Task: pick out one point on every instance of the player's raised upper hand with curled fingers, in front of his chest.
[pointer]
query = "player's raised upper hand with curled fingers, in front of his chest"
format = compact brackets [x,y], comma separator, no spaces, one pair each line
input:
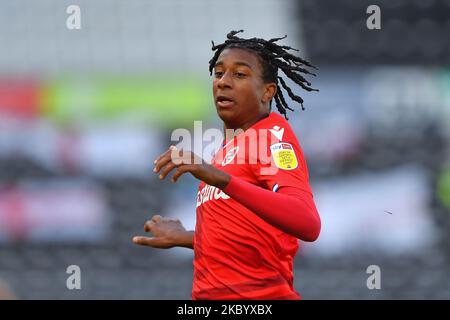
[187,161]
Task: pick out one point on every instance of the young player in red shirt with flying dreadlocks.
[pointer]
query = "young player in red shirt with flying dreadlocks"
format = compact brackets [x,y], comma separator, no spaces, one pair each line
[254,199]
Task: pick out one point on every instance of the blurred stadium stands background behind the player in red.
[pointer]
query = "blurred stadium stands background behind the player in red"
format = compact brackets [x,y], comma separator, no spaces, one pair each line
[84,112]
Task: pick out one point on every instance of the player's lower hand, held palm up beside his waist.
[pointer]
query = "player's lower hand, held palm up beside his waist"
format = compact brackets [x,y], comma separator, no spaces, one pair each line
[167,233]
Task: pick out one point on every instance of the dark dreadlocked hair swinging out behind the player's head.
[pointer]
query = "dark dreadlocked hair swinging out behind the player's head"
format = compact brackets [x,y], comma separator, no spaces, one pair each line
[272,57]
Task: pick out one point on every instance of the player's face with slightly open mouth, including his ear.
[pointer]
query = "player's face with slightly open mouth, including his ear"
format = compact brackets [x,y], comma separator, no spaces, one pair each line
[240,94]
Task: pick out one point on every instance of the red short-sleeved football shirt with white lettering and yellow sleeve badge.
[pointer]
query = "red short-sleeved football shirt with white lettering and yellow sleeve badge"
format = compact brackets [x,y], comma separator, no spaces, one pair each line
[238,255]
